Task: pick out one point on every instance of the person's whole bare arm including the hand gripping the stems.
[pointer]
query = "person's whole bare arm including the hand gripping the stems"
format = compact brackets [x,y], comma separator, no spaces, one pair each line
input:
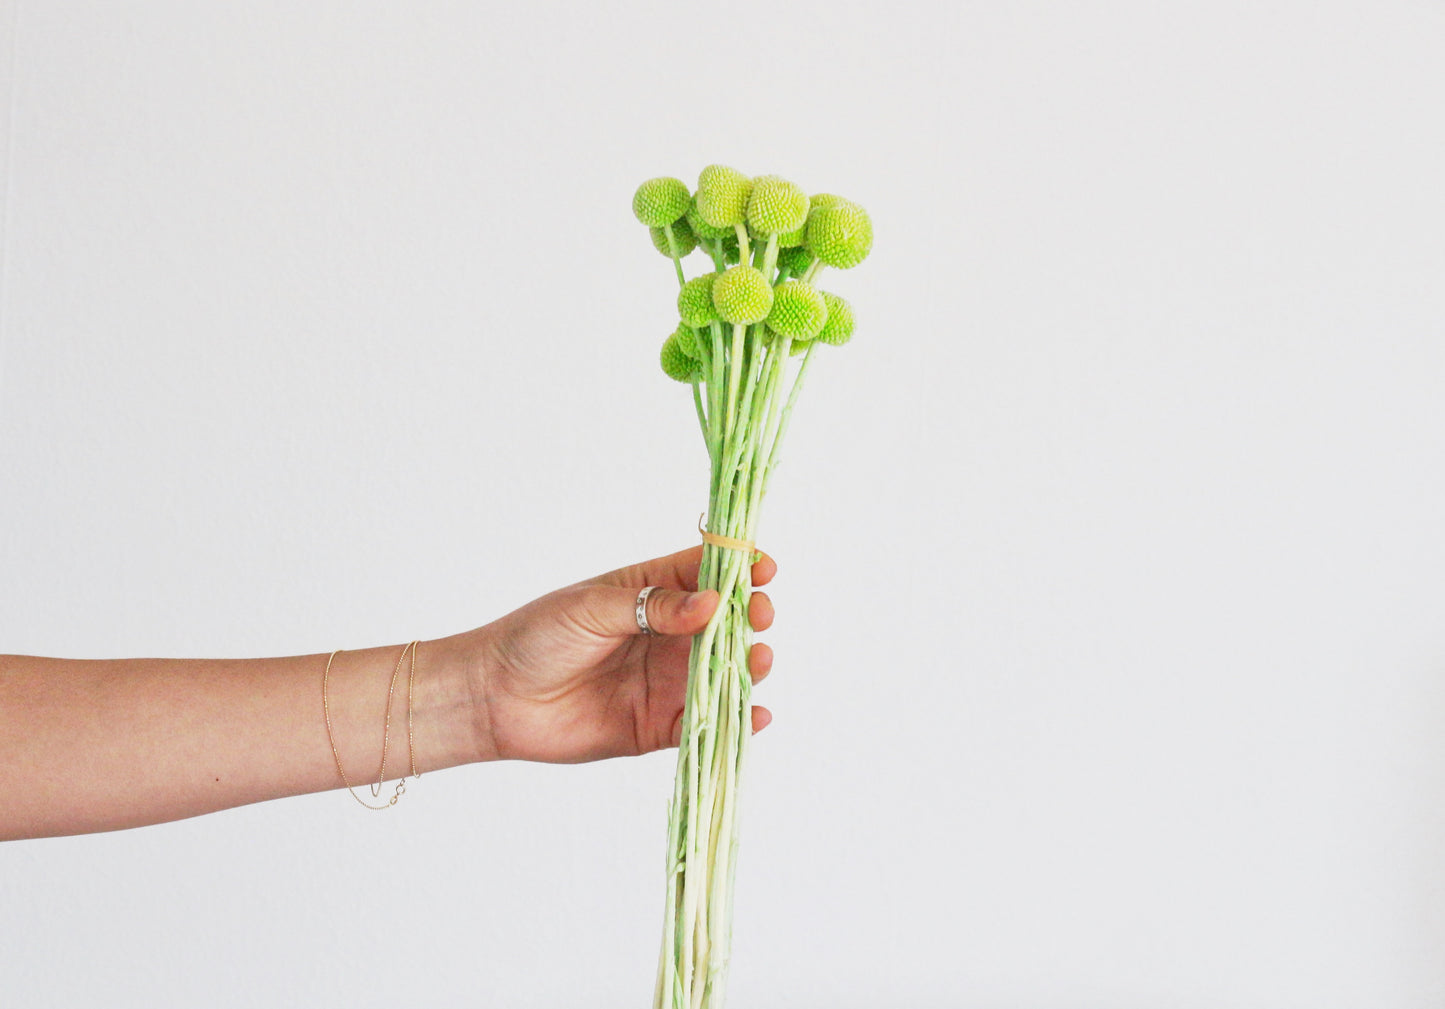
[115,744]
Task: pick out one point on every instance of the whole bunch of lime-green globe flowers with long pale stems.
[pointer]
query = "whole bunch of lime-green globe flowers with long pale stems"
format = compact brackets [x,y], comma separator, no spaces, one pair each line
[742,327]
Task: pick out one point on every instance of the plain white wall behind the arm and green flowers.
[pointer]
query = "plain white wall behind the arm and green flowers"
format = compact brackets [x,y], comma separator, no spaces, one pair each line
[1112,611]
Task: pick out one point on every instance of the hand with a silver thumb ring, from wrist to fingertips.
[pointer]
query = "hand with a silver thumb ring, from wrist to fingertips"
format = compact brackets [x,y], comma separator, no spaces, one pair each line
[570,677]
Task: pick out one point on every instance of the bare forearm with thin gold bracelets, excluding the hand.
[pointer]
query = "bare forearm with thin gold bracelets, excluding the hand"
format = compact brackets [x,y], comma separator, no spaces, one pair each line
[105,745]
